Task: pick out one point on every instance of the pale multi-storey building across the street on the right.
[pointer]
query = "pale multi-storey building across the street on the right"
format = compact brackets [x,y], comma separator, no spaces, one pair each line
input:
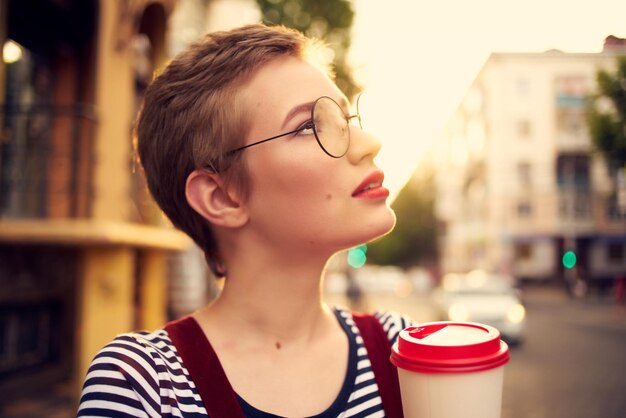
[518,185]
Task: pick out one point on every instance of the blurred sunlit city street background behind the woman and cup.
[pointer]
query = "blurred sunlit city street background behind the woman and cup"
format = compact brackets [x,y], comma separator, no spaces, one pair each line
[504,145]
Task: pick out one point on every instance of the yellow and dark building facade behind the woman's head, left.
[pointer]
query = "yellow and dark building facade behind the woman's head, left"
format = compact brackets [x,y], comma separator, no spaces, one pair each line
[83,250]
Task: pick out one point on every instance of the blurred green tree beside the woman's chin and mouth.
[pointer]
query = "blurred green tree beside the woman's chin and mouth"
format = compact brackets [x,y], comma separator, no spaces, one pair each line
[414,239]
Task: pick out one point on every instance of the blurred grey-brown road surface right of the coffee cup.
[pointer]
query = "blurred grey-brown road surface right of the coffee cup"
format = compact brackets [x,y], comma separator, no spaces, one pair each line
[572,363]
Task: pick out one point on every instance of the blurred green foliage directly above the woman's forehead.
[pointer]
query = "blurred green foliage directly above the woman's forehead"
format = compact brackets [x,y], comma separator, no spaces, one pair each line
[328,20]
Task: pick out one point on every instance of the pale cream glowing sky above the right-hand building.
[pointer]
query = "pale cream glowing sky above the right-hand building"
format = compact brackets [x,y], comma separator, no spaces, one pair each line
[416,59]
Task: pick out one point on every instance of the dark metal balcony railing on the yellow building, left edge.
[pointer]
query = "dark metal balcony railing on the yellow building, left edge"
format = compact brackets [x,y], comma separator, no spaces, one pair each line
[46,154]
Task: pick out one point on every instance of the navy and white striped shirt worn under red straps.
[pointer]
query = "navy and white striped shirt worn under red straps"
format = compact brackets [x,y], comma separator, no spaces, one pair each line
[140,374]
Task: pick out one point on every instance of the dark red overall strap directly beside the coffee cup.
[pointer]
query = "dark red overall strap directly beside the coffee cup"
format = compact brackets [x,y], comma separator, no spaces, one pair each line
[386,375]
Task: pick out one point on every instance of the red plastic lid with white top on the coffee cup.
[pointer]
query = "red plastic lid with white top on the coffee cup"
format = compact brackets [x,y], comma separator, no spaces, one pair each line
[449,347]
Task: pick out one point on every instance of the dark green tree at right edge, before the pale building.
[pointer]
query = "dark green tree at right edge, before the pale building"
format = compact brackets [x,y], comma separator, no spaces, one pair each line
[607,125]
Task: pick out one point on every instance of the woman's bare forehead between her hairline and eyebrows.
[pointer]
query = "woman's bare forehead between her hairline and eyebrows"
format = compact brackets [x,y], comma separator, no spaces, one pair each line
[285,82]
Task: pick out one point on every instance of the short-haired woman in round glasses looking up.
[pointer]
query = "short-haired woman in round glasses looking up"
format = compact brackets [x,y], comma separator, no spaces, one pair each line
[250,148]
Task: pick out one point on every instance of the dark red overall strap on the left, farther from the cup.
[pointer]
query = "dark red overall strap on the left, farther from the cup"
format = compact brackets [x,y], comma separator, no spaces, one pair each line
[205,369]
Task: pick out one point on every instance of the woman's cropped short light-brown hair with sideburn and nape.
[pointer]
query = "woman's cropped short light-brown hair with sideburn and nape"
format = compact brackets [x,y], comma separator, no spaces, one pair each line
[191,117]
